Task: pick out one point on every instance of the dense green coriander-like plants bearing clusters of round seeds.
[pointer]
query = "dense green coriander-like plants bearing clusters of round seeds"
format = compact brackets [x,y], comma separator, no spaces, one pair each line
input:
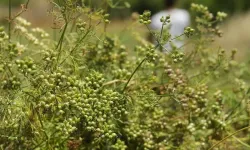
[86,90]
